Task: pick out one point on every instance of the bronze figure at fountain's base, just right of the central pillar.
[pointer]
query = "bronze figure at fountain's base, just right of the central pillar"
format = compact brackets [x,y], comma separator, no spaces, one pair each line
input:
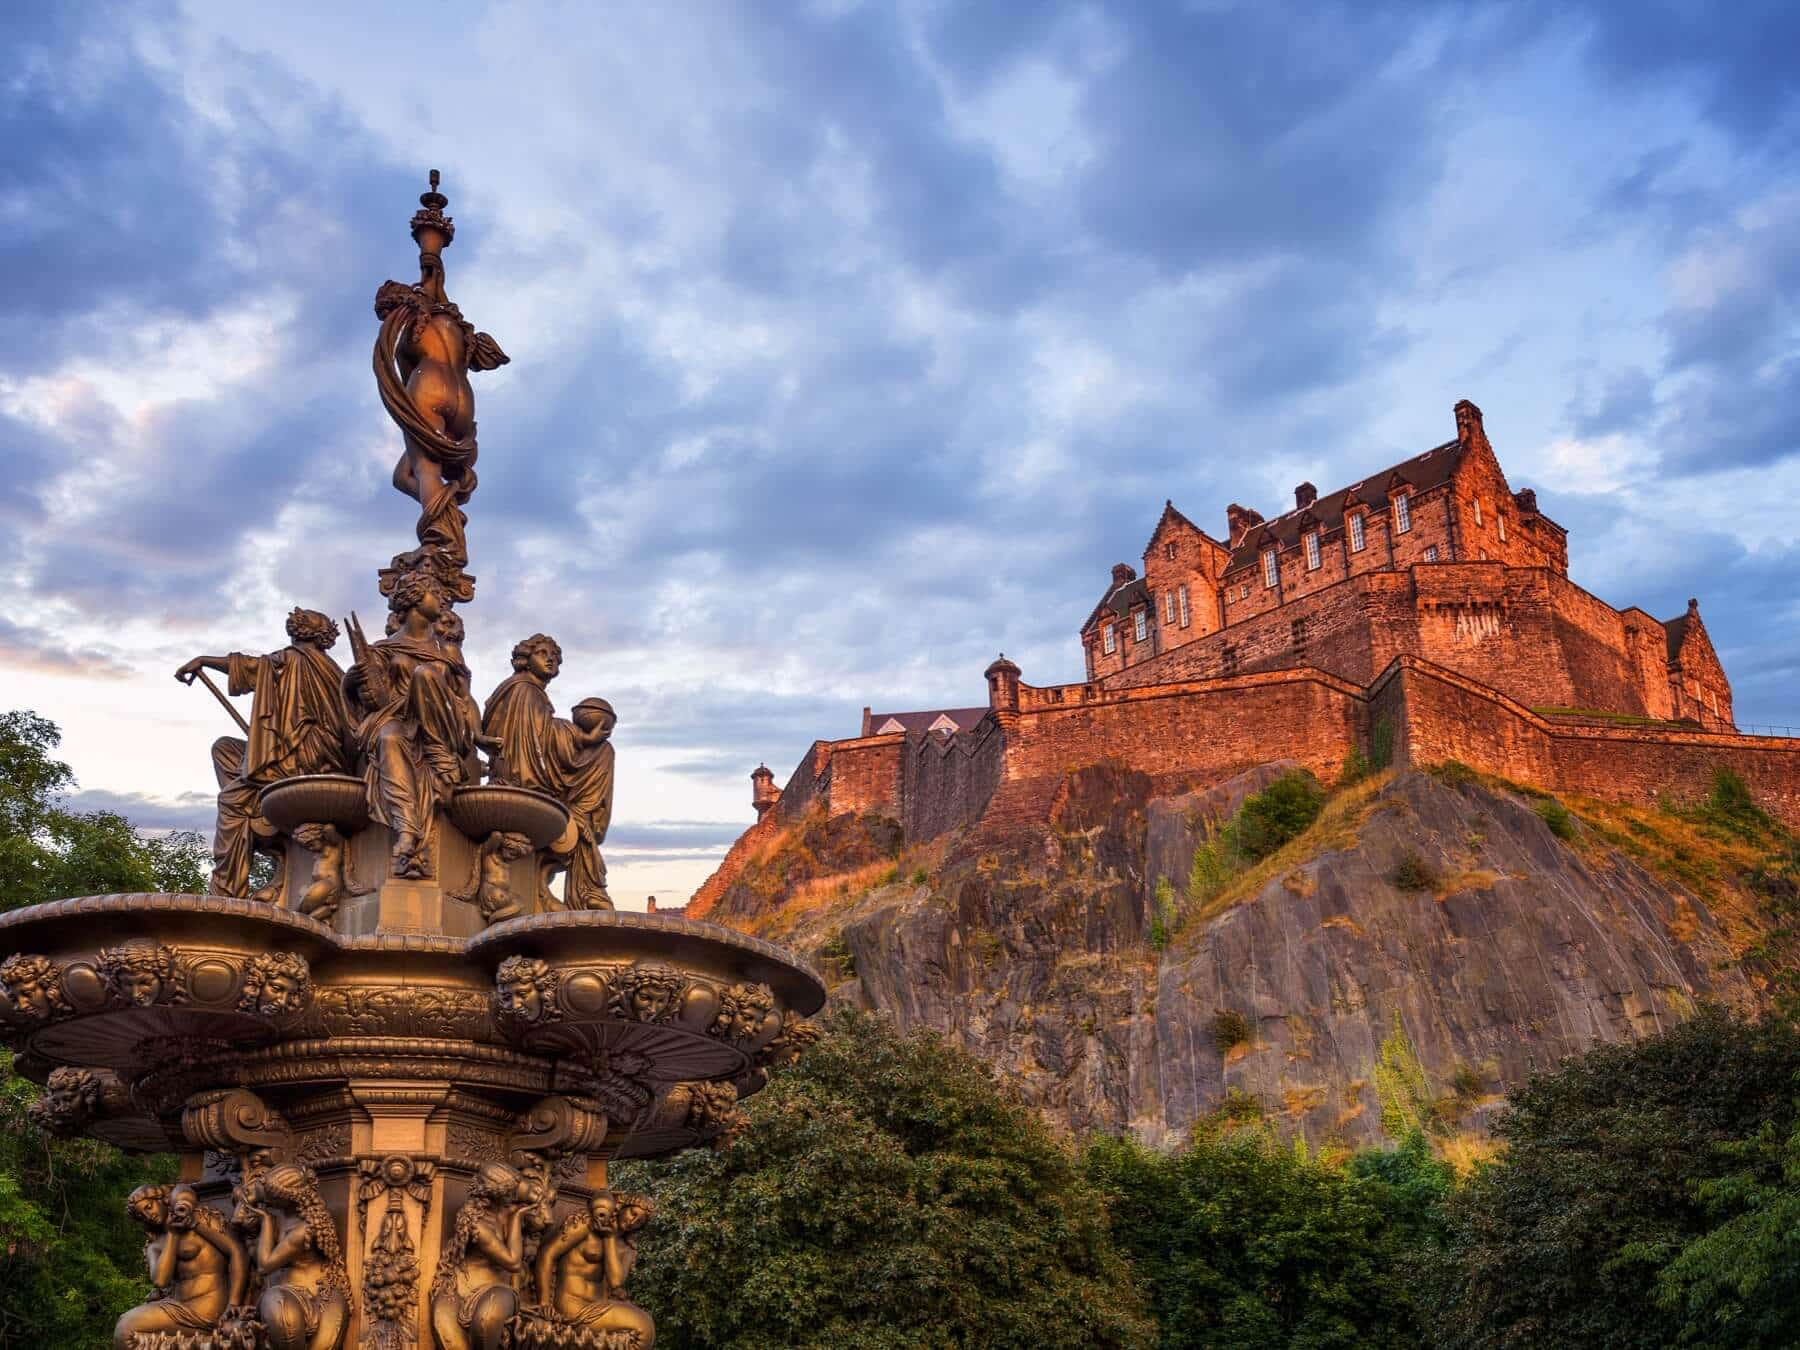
[472,1299]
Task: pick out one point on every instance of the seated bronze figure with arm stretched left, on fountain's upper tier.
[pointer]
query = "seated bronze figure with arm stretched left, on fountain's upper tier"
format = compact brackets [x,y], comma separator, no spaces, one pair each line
[298,726]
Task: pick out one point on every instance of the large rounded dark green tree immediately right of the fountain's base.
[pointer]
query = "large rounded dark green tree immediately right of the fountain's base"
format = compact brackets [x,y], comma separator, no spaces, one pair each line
[888,1194]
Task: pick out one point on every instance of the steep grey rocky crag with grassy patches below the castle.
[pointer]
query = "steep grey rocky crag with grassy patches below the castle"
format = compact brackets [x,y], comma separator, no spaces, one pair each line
[1428,940]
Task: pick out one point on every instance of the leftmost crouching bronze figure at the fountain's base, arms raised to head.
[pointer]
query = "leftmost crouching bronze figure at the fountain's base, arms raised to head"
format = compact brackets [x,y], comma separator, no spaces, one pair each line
[195,1263]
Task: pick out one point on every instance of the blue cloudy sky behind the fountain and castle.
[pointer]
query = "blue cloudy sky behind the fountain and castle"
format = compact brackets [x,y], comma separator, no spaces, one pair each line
[854,343]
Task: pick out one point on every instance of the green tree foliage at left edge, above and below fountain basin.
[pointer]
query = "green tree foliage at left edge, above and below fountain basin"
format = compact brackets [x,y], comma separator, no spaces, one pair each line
[69,1259]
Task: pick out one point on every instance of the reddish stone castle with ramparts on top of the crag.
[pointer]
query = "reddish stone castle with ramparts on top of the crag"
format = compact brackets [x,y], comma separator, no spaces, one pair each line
[1419,615]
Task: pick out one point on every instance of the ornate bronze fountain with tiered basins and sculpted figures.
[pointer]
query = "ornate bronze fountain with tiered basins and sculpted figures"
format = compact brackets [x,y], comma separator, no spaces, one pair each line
[397,1072]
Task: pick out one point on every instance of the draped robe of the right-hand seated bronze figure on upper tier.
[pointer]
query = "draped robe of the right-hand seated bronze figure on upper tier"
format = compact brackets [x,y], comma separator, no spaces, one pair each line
[552,755]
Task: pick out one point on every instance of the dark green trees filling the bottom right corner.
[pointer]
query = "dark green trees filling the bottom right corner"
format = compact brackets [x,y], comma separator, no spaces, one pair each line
[1641,1200]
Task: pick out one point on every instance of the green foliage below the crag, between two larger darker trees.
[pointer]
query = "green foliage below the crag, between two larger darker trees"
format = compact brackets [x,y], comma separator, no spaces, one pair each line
[1246,1243]
